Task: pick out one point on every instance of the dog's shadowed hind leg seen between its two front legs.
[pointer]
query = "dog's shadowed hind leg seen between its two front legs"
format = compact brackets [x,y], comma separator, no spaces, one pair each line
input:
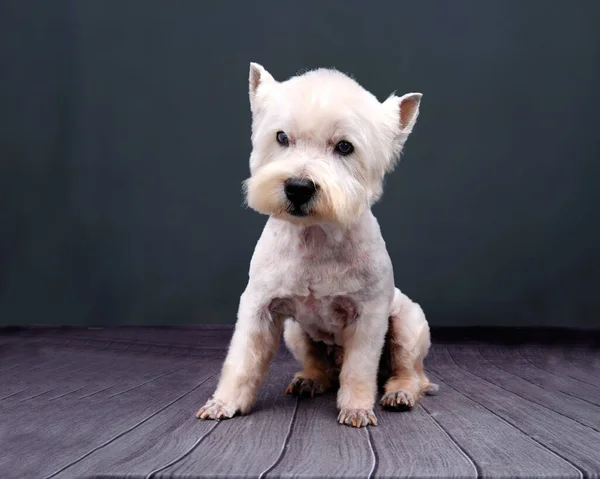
[316,375]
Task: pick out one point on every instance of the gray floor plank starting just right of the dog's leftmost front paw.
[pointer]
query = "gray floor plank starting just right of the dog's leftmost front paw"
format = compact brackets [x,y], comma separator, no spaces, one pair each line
[244,446]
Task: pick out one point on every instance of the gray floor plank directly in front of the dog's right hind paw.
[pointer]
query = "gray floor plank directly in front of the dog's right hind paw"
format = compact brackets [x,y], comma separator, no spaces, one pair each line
[413,444]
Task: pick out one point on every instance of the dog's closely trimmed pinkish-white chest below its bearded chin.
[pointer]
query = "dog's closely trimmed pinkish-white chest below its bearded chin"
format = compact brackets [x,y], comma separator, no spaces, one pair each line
[320,279]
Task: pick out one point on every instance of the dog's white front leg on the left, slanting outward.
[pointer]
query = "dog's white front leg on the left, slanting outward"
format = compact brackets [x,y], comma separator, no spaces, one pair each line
[255,340]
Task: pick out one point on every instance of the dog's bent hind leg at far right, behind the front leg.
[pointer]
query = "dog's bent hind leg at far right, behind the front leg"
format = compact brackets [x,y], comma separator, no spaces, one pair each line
[409,342]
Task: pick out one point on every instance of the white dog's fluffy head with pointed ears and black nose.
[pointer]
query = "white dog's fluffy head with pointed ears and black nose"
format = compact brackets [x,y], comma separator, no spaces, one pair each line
[321,145]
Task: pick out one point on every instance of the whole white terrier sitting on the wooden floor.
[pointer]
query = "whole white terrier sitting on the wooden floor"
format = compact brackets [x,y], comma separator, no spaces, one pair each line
[321,147]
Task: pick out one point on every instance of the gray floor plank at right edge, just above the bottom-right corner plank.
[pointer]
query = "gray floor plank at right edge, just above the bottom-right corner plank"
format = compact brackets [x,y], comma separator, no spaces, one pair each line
[472,360]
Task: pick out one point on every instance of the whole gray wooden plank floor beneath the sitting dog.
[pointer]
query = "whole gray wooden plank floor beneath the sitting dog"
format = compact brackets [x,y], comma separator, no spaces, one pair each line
[121,403]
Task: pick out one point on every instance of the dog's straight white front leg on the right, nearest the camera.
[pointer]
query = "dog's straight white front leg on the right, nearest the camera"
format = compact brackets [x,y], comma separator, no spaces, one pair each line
[363,344]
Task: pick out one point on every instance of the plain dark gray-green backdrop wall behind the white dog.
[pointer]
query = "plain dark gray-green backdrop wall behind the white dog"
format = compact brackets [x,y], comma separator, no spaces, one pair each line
[124,139]
